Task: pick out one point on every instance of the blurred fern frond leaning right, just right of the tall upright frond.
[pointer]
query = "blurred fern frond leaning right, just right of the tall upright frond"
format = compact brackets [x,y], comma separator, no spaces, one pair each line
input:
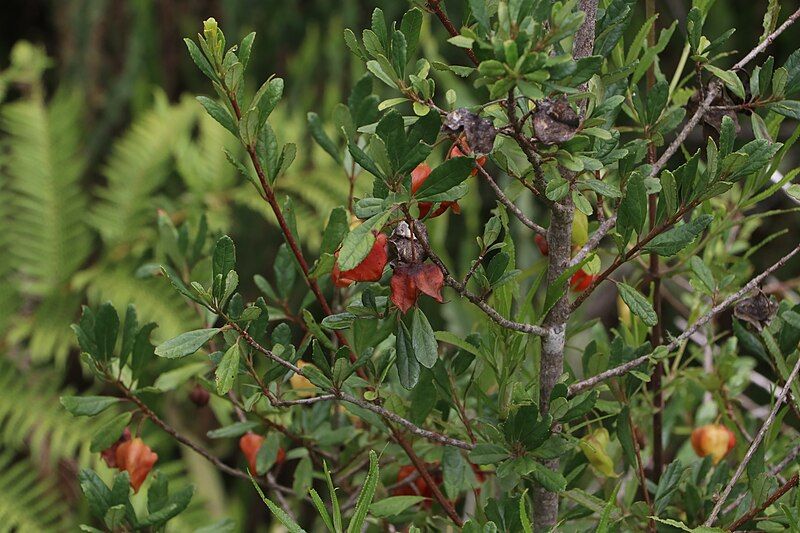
[138,167]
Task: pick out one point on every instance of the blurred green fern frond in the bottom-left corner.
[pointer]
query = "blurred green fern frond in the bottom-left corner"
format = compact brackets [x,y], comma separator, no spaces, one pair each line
[29,503]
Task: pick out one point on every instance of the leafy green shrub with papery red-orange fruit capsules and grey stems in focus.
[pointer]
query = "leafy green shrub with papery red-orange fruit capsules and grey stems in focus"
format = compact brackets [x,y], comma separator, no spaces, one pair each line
[494,424]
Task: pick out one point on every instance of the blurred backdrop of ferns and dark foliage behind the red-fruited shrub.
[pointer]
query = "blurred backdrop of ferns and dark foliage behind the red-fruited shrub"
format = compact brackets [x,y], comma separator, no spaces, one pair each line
[99,131]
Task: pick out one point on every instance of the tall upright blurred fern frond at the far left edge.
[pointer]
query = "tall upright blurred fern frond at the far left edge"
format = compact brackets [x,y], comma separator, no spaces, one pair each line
[49,238]
